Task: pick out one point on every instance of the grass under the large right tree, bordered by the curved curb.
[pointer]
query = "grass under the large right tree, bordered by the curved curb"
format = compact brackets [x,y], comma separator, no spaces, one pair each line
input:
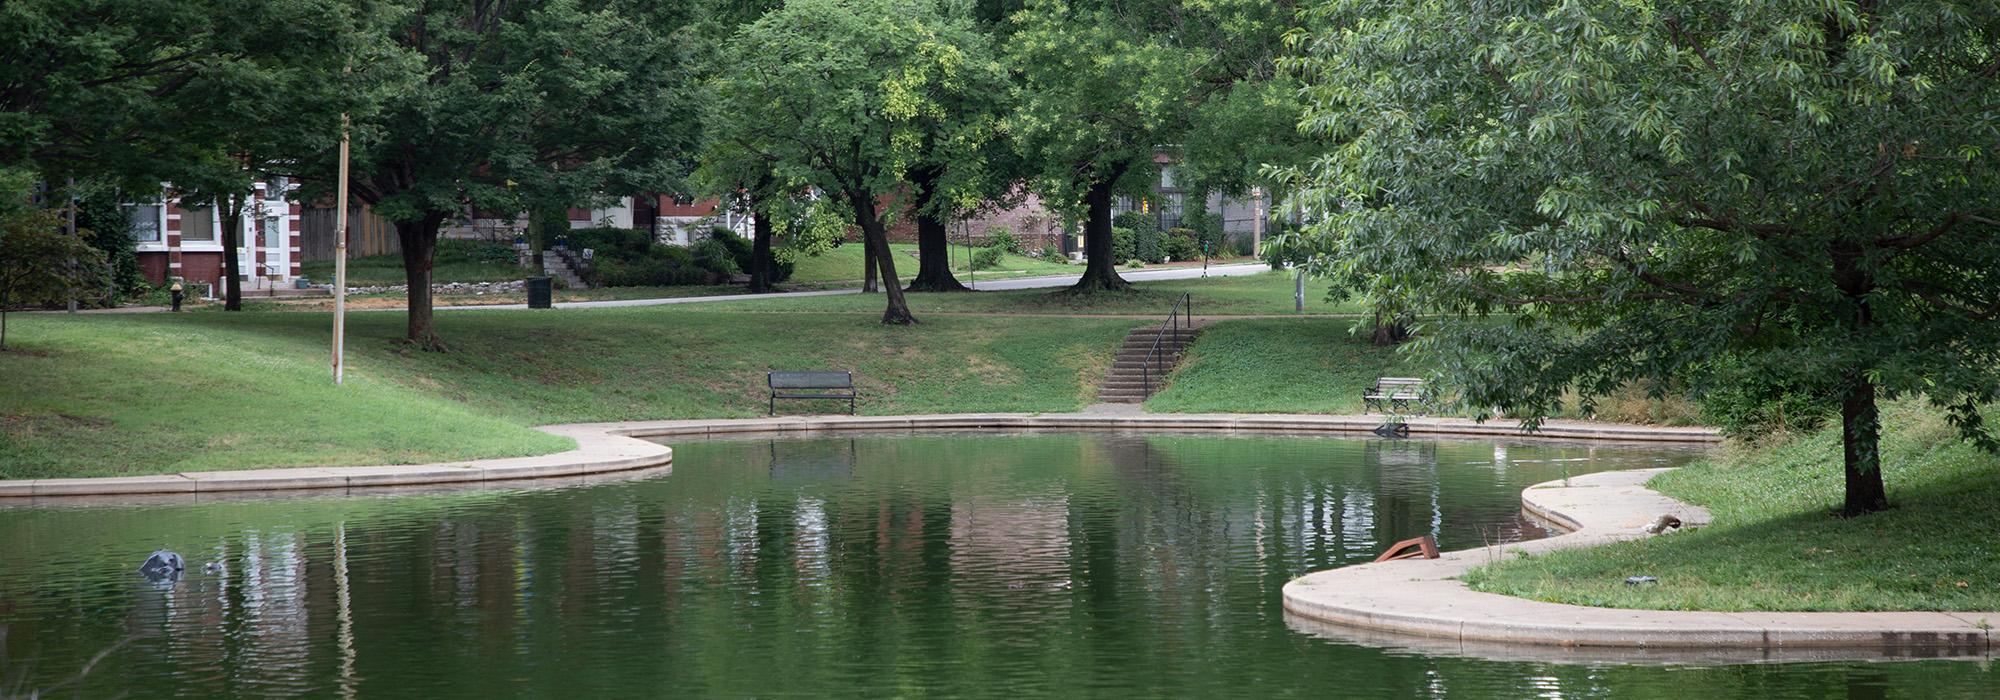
[1775,543]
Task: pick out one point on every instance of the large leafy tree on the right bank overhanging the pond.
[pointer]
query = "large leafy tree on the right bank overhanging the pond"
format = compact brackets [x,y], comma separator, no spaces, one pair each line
[1649,191]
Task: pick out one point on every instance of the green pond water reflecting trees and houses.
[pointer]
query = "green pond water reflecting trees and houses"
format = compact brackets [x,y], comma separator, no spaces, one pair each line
[881,565]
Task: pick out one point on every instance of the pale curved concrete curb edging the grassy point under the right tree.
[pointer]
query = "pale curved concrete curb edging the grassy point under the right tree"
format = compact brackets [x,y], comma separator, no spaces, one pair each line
[1425,599]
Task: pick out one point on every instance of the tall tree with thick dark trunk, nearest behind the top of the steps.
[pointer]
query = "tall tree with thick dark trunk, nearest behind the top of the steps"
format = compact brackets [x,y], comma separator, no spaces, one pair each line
[1107,87]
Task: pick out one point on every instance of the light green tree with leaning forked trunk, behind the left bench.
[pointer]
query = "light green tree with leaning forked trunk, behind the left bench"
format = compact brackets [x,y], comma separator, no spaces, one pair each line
[841,97]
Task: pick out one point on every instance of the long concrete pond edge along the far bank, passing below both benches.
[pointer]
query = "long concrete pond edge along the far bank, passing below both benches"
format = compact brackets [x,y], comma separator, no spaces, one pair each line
[619,447]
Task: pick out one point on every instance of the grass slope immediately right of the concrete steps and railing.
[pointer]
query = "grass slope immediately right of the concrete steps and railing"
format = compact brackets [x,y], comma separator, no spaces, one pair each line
[1279,365]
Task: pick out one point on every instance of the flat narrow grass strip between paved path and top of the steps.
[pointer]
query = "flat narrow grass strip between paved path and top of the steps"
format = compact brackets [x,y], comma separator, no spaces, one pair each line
[1253,295]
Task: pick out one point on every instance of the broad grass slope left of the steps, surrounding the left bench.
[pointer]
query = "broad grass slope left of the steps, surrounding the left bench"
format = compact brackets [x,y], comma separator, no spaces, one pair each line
[167,393]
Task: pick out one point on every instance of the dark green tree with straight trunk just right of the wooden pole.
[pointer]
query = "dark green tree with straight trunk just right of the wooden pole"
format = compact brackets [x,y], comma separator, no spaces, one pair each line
[565,85]
